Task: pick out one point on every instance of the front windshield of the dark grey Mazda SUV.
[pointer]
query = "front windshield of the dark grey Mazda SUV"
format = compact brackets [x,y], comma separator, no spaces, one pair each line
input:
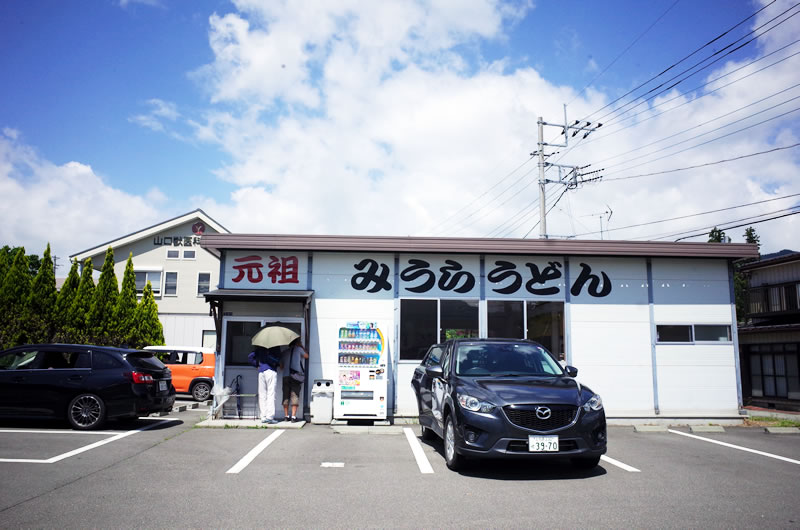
[504,359]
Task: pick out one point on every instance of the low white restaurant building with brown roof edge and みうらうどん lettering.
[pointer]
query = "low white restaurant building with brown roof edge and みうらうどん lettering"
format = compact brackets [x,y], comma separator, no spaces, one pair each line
[650,325]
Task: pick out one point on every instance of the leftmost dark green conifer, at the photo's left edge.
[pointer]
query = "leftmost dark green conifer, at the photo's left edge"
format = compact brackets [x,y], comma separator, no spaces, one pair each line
[14,294]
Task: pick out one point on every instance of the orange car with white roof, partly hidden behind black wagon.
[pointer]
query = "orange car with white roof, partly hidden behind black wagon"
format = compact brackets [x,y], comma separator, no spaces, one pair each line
[192,368]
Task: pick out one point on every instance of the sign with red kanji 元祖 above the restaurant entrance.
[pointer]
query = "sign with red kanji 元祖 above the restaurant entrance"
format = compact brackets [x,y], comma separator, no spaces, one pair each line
[265,270]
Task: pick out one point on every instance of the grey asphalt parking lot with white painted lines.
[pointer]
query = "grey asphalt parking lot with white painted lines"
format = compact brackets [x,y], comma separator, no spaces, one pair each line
[163,472]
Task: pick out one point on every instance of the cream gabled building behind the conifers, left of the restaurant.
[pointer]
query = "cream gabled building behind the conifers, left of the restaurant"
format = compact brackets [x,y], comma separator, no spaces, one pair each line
[180,271]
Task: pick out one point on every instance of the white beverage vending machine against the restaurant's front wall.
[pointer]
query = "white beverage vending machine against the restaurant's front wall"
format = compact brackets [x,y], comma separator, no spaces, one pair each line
[361,389]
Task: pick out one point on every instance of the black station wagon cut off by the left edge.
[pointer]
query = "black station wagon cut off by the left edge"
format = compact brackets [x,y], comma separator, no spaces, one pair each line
[85,384]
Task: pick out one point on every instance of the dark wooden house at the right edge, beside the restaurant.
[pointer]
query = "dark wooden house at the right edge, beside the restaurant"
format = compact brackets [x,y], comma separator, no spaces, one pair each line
[770,337]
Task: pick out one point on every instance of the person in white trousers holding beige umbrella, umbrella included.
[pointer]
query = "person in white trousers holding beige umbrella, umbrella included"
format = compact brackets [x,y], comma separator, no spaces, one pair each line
[266,357]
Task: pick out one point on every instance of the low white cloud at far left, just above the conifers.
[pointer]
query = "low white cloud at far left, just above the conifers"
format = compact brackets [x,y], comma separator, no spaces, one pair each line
[67,205]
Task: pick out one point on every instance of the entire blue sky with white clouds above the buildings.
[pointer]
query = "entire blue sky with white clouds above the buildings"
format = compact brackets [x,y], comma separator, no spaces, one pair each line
[351,117]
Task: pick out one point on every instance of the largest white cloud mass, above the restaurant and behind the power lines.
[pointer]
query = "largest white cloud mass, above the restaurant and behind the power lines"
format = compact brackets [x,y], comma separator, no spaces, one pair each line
[368,121]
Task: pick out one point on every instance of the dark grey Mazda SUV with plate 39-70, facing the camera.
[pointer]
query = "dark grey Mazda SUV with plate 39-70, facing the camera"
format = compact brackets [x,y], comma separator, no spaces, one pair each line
[506,398]
